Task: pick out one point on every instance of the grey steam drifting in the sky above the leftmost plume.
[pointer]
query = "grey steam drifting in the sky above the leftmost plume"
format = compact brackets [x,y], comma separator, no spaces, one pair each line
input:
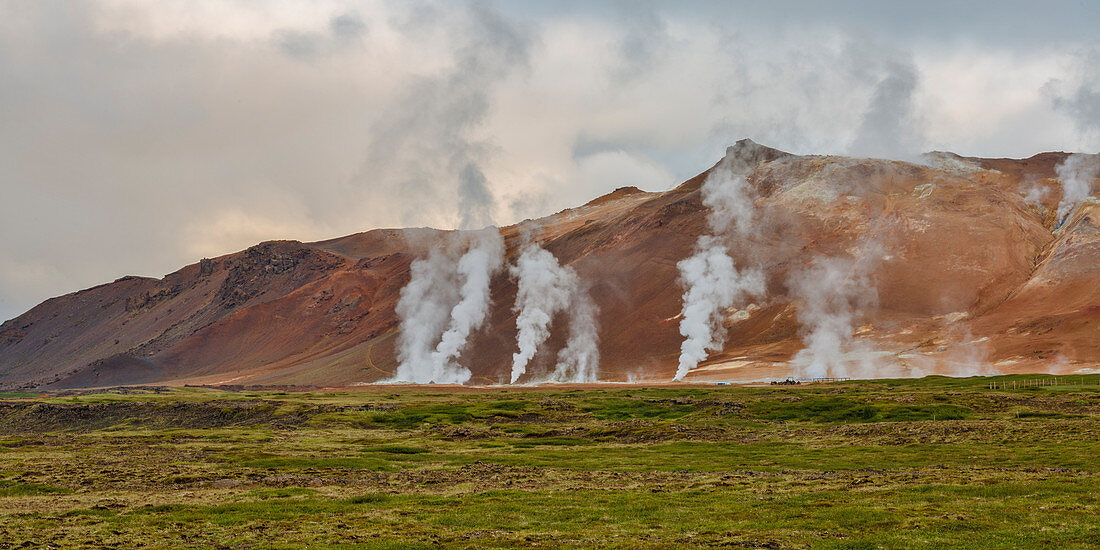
[425,147]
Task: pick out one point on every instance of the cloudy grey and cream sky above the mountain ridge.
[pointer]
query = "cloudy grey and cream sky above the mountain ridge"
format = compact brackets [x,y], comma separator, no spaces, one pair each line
[138,137]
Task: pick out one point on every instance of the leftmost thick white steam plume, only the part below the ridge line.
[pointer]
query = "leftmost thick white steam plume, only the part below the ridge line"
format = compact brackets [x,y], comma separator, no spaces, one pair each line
[446,300]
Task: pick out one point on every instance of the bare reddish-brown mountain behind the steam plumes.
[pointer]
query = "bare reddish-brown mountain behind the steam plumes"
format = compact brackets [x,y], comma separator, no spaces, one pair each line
[952,266]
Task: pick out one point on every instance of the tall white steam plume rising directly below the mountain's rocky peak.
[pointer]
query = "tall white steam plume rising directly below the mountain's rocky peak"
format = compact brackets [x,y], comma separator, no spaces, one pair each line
[711,280]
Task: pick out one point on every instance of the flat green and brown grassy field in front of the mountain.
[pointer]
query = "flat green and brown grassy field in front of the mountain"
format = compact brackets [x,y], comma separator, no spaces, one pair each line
[926,464]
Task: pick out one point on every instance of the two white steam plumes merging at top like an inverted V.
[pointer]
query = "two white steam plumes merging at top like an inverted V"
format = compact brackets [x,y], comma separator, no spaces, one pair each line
[546,290]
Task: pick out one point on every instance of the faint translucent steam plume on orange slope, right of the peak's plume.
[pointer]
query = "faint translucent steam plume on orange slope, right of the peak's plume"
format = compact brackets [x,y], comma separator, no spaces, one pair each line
[832,293]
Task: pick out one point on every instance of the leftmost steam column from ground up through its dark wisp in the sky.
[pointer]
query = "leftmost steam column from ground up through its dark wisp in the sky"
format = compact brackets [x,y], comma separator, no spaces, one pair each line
[447,298]
